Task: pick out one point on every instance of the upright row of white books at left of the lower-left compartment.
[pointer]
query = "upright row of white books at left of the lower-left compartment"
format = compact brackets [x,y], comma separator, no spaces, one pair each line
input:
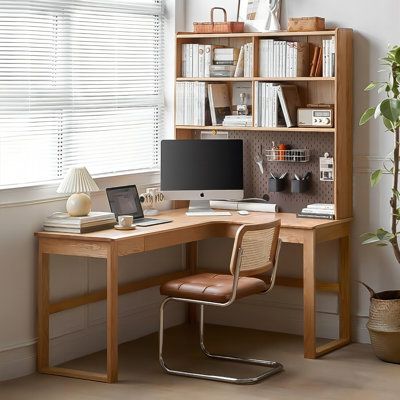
[192,104]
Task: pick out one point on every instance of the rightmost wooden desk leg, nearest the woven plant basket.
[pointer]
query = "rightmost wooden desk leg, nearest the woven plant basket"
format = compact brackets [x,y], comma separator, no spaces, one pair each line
[344,290]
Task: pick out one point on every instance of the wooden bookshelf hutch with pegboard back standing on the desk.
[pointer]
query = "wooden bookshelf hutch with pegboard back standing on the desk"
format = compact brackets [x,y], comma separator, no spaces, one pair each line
[337,140]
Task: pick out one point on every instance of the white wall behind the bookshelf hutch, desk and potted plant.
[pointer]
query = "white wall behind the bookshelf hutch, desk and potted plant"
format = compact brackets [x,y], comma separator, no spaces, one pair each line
[375,26]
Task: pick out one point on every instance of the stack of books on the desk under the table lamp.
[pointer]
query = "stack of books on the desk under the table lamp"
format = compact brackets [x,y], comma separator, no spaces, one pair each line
[63,222]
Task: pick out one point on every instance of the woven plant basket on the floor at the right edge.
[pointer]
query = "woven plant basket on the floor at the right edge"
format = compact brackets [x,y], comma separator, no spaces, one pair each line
[384,324]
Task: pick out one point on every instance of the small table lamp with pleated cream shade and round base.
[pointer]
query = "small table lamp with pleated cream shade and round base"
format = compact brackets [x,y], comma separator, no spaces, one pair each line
[78,182]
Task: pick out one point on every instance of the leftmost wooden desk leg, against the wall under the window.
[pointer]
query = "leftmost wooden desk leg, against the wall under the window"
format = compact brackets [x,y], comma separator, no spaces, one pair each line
[43,311]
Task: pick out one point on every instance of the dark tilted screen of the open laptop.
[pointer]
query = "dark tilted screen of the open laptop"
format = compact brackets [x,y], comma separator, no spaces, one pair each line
[124,200]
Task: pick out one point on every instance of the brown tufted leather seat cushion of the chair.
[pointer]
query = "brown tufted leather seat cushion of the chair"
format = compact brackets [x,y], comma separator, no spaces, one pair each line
[211,287]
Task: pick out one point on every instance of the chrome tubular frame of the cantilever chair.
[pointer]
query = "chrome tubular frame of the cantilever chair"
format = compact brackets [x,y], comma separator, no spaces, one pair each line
[273,366]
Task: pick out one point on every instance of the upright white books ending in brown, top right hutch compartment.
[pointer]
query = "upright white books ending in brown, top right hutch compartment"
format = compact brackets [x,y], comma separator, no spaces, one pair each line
[279,58]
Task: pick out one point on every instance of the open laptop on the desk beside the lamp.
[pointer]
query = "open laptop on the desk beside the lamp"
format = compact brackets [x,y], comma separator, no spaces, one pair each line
[124,200]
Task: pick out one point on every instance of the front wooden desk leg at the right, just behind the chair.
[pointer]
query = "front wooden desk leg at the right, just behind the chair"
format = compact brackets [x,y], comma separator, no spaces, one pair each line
[309,249]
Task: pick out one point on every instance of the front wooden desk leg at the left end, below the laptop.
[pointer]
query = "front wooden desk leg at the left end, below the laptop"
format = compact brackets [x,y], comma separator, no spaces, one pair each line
[112,314]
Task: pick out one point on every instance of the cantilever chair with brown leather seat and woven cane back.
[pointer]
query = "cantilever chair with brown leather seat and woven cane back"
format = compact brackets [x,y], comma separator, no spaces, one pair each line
[255,255]
